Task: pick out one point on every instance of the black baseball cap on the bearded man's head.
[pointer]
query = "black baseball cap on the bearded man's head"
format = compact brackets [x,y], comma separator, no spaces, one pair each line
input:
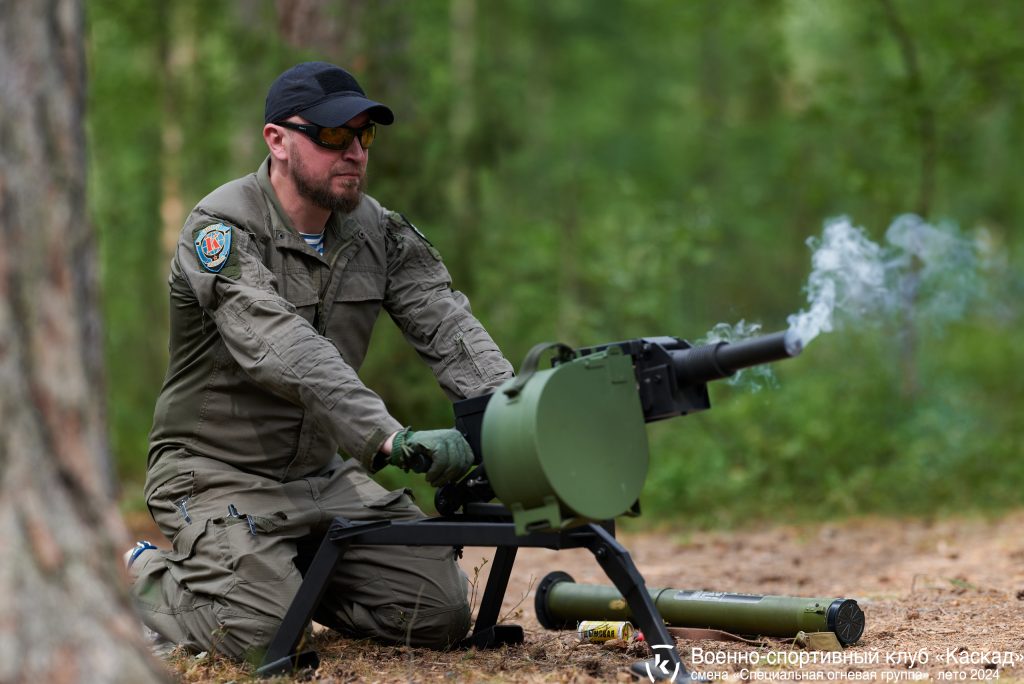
[323,95]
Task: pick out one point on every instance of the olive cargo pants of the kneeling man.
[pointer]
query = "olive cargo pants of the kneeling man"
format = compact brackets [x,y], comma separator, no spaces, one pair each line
[239,544]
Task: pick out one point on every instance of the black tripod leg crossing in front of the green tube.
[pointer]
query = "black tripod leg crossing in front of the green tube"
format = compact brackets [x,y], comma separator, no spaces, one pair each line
[617,564]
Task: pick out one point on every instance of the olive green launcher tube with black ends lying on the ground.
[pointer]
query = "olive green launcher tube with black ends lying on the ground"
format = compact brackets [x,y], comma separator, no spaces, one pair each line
[561,604]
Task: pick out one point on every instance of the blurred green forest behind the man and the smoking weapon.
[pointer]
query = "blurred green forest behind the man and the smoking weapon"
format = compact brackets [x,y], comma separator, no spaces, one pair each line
[596,172]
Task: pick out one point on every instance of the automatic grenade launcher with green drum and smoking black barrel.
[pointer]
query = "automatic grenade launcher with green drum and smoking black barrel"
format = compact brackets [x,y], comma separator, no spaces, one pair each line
[568,445]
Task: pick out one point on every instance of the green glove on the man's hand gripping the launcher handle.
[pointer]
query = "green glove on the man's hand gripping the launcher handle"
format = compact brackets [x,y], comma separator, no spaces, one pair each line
[444,455]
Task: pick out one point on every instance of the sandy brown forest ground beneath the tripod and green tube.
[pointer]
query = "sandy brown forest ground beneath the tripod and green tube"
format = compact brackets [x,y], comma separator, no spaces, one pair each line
[944,601]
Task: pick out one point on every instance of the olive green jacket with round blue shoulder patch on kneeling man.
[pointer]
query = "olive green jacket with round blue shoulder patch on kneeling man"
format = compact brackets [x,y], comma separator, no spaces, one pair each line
[265,353]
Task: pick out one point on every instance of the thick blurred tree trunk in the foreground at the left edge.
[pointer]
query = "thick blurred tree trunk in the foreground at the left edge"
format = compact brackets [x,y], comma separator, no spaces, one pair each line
[65,613]
